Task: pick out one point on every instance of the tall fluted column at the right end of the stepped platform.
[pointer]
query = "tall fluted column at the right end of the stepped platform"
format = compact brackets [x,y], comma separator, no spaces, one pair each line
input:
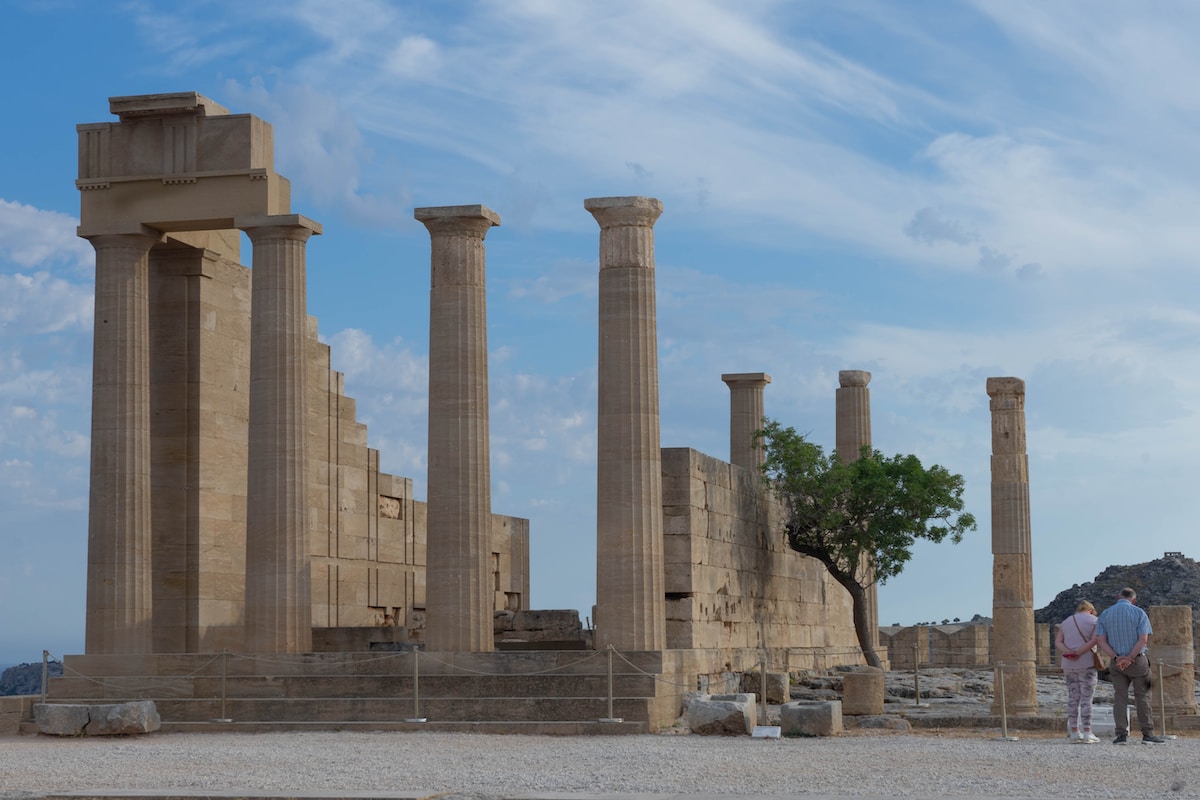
[631,606]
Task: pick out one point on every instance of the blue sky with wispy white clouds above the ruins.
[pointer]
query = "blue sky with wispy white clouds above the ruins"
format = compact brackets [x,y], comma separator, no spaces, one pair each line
[935,193]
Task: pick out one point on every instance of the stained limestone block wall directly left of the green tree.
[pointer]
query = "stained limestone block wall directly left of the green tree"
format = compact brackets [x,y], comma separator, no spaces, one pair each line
[734,585]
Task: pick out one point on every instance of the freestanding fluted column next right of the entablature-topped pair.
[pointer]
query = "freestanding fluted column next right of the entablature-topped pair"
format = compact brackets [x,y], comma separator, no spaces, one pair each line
[458,593]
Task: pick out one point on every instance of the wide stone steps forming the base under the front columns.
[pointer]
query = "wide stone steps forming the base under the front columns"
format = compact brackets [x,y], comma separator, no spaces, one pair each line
[537,691]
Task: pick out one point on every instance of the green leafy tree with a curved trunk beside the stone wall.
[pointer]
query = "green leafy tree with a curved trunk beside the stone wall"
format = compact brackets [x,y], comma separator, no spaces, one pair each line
[862,518]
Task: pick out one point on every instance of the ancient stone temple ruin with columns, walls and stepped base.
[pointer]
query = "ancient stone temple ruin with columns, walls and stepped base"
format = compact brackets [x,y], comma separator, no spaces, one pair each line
[238,508]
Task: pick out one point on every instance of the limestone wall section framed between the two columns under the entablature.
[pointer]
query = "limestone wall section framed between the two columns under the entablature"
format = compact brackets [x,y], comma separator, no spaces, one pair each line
[200,334]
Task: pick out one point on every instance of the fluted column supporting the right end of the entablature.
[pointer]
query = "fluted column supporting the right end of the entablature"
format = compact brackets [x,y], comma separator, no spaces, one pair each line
[279,582]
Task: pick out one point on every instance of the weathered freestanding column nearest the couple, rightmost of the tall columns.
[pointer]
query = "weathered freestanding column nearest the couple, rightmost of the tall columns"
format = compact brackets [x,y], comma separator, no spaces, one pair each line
[1013,633]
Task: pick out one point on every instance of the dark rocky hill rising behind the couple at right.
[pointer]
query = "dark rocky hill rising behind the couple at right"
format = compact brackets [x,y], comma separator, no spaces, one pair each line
[1171,581]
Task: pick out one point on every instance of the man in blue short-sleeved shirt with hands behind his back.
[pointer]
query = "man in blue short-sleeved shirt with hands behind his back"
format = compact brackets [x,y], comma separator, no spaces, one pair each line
[1124,630]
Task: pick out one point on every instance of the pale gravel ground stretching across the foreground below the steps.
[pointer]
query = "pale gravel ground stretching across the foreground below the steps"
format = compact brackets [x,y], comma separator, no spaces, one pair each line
[956,765]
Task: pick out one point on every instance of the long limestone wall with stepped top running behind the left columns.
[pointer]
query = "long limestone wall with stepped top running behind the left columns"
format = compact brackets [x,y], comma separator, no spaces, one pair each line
[367,531]
